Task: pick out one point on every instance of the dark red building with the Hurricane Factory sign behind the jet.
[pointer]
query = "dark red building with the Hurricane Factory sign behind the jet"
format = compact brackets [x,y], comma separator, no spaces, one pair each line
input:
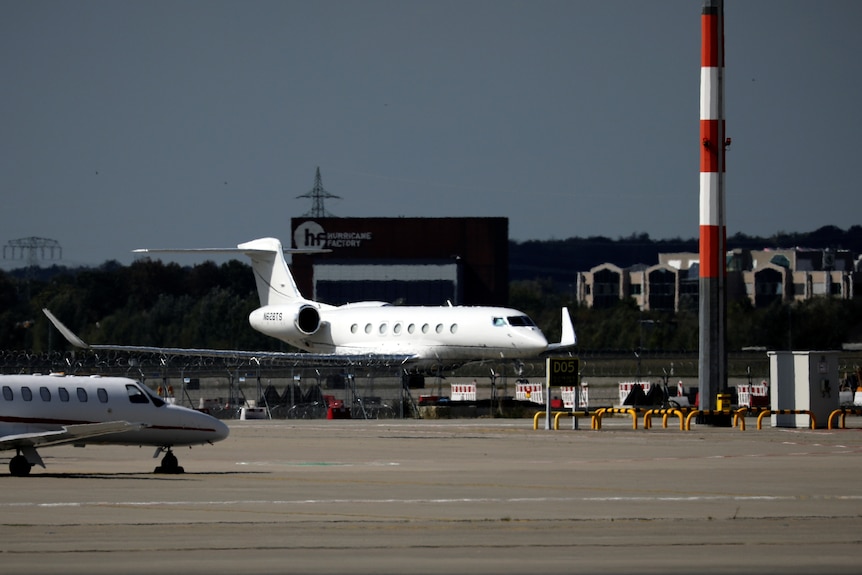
[410,261]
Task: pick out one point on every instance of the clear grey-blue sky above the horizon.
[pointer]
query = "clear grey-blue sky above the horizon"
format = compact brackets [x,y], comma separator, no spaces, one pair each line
[197,123]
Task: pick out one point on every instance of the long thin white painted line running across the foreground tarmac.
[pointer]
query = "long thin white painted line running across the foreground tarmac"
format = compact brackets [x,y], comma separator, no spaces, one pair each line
[494,500]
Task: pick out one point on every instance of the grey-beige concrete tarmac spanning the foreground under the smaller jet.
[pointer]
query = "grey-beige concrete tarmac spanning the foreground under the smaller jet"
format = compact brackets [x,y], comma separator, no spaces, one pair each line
[447,496]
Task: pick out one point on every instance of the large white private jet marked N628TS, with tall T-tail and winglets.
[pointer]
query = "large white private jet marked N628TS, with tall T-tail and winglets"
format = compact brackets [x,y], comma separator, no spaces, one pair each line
[416,336]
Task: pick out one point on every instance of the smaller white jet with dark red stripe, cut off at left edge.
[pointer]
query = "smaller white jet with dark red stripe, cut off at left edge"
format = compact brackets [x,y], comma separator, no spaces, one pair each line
[47,410]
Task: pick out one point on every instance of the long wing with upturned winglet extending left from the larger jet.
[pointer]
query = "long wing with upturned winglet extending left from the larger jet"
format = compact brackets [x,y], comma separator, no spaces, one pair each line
[298,358]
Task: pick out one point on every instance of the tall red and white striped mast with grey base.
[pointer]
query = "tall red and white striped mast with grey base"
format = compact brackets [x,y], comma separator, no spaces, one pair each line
[712,374]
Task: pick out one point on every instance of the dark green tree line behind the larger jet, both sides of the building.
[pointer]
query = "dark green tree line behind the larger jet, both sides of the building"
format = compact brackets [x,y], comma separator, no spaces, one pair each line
[206,306]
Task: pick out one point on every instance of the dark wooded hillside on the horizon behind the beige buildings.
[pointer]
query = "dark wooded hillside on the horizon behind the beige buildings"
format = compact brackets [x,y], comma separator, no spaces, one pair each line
[561,260]
